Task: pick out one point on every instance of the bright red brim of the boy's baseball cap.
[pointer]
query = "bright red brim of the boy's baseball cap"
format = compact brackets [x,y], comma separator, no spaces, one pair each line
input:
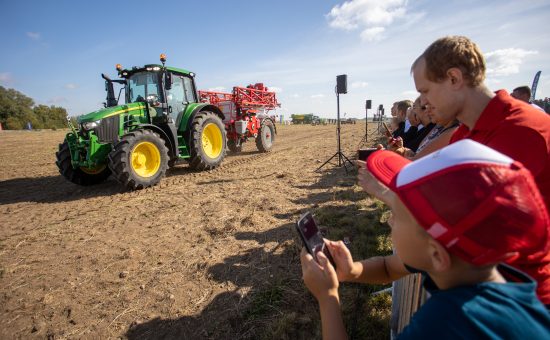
[385,165]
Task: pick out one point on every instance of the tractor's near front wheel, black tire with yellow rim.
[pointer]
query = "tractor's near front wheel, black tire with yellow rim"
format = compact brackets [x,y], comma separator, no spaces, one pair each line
[139,160]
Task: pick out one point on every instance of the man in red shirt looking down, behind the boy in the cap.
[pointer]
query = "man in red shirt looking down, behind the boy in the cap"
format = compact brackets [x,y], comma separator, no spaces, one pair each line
[449,76]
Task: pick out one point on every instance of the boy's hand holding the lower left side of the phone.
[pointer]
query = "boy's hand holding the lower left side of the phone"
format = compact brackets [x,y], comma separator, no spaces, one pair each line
[320,278]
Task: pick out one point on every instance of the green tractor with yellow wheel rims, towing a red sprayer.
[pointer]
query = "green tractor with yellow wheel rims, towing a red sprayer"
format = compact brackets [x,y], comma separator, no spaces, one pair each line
[161,122]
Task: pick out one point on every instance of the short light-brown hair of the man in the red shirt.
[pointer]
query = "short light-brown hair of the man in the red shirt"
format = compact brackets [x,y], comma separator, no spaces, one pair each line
[454,51]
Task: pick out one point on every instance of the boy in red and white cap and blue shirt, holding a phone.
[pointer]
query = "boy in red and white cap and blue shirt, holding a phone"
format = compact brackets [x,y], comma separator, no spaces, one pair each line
[457,214]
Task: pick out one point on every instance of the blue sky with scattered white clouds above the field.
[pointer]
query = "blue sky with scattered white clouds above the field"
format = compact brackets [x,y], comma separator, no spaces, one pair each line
[55,51]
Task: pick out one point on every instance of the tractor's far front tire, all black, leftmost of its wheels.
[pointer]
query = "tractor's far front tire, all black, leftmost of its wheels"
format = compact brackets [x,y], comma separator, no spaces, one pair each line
[81,176]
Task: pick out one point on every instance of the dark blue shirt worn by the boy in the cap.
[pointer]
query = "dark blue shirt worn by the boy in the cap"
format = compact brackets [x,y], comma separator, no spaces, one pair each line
[485,310]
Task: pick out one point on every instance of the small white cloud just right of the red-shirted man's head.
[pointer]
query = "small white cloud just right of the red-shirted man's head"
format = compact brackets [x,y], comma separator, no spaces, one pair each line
[505,62]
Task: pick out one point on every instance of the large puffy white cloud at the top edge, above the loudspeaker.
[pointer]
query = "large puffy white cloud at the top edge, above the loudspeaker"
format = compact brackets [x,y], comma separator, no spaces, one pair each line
[372,16]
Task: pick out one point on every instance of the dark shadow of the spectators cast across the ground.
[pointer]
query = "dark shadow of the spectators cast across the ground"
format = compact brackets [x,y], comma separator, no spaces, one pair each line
[269,300]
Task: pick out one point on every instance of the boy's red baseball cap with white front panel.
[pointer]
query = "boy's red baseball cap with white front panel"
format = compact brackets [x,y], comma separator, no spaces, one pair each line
[478,203]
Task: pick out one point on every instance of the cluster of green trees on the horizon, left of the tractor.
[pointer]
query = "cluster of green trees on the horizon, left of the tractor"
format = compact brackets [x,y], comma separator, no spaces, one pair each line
[16,110]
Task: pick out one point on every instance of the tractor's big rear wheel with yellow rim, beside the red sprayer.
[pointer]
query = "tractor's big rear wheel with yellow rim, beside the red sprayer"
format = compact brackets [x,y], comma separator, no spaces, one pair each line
[208,141]
